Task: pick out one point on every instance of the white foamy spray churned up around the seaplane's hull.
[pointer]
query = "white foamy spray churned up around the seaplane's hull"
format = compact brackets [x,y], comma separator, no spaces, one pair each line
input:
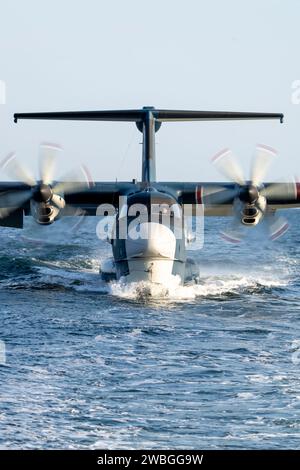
[216,283]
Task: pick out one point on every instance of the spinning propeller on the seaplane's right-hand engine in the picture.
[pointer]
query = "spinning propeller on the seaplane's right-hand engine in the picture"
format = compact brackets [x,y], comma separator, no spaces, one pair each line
[251,197]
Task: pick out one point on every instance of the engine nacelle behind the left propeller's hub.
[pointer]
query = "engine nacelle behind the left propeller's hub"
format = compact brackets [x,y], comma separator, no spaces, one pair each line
[45,213]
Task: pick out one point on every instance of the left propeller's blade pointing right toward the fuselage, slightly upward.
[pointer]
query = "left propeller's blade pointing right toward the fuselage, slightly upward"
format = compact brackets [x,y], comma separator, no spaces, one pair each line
[73,182]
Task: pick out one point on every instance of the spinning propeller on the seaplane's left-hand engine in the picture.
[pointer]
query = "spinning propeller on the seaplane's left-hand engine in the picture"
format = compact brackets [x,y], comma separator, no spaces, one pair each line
[45,196]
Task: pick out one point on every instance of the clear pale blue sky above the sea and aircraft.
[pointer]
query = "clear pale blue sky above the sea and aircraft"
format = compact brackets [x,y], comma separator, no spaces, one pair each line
[193,54]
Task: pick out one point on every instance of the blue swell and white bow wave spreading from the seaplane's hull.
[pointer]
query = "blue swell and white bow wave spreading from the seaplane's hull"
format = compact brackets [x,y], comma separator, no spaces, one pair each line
[60,274]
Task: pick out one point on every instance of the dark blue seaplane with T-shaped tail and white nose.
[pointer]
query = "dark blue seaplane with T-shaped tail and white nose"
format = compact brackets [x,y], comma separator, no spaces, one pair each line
[148,236]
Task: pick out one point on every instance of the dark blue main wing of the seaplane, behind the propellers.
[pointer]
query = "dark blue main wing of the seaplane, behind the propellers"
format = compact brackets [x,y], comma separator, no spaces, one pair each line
[217,198]
